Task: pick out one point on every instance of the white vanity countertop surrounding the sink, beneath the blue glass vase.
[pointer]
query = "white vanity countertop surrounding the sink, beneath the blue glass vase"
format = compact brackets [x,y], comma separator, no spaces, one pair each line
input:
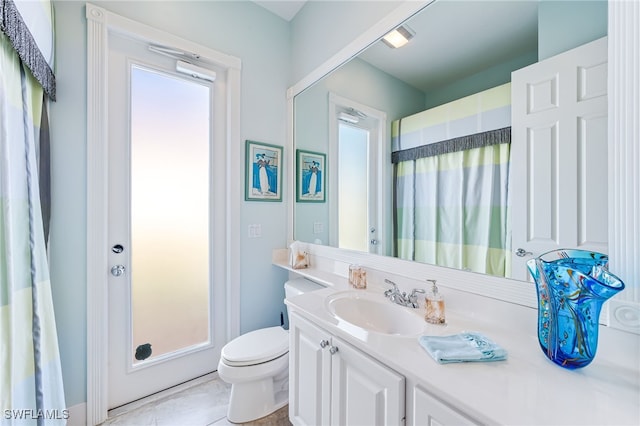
[527,388]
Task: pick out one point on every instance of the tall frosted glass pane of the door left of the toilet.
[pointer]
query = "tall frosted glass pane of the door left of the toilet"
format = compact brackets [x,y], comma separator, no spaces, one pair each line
[169,213]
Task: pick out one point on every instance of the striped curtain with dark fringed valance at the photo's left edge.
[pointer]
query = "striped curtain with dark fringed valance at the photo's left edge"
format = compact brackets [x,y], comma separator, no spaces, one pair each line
[31,388]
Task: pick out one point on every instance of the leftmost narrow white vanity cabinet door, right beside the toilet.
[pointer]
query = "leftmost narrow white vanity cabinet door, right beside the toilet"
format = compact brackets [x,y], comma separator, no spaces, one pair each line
[309,373]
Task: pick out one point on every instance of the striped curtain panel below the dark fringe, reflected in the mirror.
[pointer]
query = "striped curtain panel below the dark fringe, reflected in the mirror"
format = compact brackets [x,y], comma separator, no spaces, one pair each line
[451,209]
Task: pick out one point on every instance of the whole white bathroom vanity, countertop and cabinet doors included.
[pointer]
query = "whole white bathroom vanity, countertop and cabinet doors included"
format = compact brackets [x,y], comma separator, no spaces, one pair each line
[379,378]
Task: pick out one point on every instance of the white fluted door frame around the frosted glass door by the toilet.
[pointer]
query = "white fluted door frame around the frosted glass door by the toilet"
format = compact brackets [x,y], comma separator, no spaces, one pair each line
[99,23]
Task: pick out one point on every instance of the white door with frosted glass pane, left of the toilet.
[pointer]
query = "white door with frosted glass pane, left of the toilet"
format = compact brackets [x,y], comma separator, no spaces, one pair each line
[166,301]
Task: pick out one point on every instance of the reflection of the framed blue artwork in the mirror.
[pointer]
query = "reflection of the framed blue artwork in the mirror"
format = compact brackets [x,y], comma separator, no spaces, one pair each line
[310,177]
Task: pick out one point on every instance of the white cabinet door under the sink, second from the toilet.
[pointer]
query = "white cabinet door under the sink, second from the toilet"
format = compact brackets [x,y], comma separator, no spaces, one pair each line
[363,391]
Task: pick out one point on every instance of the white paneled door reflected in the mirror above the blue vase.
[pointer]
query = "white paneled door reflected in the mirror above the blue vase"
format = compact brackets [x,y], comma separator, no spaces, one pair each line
[559,142]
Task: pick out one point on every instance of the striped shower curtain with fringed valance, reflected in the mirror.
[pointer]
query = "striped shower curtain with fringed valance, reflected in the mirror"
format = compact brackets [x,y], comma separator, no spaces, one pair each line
[451,168]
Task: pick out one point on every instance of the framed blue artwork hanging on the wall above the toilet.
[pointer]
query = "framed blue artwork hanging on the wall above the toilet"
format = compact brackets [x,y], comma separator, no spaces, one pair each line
[263,172]
